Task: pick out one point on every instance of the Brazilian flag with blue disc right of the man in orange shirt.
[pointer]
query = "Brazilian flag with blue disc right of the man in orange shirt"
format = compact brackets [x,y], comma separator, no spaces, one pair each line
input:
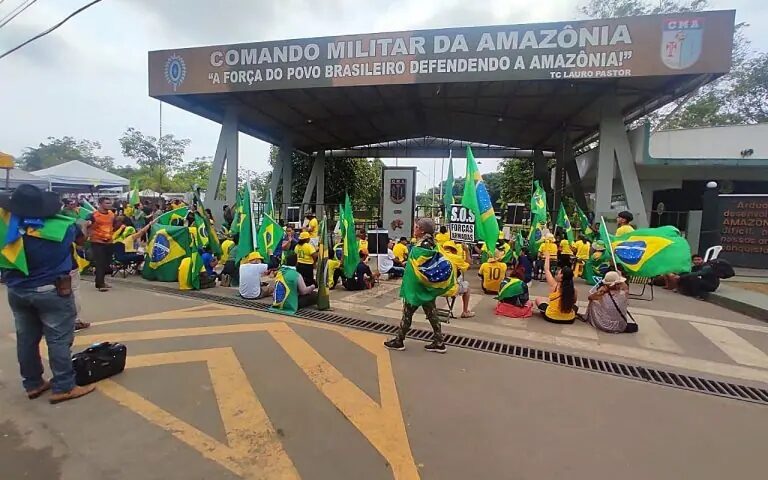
[166,248]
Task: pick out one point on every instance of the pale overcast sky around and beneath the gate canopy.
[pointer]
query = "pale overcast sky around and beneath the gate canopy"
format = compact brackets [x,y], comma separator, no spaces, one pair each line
[88,79]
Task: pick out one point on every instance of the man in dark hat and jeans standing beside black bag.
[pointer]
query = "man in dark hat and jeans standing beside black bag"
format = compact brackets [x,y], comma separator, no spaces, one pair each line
[41,300]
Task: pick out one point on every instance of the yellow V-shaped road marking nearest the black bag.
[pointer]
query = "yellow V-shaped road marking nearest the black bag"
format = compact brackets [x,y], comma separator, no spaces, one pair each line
[253,447]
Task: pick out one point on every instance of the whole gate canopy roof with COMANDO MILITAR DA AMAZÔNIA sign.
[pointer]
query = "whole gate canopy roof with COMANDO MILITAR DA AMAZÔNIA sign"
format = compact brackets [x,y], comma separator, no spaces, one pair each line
[517,86]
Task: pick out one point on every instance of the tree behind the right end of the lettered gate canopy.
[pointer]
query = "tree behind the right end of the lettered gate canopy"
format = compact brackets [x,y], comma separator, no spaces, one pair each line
[735,98]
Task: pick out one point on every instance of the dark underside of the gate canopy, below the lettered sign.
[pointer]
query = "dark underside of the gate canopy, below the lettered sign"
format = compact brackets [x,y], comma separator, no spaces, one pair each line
[520,114]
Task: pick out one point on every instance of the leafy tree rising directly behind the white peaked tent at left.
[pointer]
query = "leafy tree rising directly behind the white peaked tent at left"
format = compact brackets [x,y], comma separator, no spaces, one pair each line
[62,150]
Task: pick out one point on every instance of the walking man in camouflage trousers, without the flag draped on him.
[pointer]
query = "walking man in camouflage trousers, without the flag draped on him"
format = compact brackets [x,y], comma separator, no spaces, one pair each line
[423,231]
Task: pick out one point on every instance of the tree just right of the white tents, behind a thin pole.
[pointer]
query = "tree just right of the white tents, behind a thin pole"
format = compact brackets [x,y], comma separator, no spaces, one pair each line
[168,153]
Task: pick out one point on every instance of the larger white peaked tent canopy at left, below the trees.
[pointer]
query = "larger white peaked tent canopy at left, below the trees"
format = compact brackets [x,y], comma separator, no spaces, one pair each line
[78,176]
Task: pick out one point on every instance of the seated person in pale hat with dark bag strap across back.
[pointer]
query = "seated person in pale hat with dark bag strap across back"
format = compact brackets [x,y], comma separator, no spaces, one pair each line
[607,309]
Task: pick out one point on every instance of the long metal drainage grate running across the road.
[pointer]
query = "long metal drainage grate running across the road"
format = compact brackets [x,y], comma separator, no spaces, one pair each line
[624,370]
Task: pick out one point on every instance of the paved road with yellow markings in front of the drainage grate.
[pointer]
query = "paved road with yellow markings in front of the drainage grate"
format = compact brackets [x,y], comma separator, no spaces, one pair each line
[213,391]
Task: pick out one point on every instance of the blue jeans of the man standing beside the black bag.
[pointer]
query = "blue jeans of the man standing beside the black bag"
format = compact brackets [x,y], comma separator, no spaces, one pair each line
[44,313]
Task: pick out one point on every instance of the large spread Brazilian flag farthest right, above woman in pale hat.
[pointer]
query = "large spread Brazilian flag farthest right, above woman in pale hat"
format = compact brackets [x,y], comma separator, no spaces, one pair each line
[649,252]
